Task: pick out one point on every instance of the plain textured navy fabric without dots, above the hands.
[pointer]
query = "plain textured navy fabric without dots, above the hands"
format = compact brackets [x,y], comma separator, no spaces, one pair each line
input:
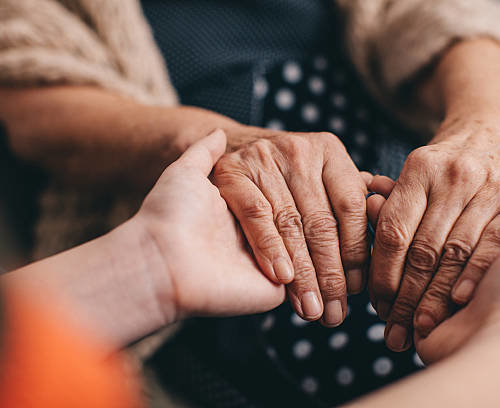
[215,49]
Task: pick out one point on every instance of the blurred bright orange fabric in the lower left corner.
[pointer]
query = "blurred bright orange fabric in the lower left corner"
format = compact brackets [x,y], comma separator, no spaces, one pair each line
[42,364]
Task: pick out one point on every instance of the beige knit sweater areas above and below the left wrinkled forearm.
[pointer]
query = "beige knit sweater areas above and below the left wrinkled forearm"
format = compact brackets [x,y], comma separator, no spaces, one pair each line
[103,43]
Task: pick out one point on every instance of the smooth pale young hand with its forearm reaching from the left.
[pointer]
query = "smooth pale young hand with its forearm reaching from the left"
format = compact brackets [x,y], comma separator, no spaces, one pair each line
[181,255]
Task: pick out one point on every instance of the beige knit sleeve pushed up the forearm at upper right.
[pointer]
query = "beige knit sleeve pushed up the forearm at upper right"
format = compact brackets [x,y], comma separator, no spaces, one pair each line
[392,41]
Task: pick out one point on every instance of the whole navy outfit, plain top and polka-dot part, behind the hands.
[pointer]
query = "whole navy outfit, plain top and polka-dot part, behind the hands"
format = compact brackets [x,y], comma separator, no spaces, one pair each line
[280,64]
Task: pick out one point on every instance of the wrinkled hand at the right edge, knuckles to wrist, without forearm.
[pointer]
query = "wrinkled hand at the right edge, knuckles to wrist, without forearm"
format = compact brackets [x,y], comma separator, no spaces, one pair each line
[438,232]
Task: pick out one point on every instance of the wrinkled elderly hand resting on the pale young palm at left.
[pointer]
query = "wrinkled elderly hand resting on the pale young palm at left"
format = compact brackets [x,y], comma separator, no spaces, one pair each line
[301,203]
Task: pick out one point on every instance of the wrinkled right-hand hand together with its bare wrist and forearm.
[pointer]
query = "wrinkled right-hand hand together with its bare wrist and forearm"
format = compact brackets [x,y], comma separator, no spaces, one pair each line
[439,230]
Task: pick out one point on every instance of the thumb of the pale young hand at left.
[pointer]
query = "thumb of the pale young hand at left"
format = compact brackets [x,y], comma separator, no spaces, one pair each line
[203,154]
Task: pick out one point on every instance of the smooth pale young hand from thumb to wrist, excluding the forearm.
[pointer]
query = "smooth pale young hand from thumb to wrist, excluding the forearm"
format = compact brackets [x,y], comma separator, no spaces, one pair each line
[202,248]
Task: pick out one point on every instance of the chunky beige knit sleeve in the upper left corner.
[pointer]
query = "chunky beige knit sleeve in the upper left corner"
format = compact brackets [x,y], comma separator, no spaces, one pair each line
[48,42]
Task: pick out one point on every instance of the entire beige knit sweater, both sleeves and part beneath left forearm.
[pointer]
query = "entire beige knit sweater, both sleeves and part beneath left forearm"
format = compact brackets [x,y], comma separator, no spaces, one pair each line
[107,43]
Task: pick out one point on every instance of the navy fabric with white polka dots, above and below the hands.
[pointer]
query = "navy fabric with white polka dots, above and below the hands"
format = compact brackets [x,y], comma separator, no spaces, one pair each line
[333,365]
